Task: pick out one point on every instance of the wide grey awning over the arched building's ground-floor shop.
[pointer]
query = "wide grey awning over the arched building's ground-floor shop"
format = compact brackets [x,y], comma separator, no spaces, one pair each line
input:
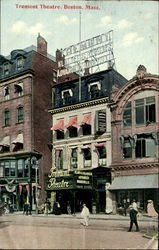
[135,182]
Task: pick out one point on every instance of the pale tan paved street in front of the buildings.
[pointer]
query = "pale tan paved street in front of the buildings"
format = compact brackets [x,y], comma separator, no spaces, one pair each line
[19,231]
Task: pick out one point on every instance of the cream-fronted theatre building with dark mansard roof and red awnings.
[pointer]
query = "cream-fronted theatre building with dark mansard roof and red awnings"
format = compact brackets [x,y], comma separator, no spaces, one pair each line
[81,126]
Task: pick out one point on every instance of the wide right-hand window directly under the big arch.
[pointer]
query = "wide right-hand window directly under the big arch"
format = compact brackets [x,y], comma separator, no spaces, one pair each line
[145,111]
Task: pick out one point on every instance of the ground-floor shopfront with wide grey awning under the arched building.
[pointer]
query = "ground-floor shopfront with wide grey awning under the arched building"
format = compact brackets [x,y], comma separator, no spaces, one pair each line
[140,187]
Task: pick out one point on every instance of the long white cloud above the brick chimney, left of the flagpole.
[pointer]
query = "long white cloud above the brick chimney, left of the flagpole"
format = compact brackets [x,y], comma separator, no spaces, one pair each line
[22,27]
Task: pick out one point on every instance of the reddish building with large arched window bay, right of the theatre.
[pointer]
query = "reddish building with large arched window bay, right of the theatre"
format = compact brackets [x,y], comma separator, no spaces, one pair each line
[135,140]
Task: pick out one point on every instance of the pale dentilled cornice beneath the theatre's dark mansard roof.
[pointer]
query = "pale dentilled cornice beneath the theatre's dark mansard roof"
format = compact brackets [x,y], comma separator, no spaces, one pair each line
[79,105]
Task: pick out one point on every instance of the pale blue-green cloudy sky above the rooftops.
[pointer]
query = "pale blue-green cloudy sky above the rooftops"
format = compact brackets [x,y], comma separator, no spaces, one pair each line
[134,25]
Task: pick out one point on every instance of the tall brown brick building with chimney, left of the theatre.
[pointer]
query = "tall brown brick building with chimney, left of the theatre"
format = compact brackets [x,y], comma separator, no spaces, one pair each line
[26,79]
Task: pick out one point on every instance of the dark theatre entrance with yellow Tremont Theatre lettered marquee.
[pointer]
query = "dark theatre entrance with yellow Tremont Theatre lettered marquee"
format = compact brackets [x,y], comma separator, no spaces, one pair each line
[78,187]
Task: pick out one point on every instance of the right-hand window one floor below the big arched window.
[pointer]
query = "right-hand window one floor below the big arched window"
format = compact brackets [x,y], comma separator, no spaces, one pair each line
[145,147]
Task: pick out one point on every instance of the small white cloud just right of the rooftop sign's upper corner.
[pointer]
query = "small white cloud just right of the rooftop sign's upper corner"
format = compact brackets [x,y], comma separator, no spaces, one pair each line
[131,38]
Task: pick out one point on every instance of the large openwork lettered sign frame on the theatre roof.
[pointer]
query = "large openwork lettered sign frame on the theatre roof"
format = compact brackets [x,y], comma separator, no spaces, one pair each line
[89,53]
